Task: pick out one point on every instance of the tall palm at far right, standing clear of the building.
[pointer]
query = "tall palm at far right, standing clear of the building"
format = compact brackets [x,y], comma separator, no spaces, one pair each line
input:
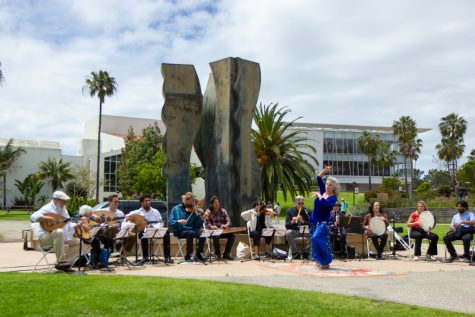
[450,149]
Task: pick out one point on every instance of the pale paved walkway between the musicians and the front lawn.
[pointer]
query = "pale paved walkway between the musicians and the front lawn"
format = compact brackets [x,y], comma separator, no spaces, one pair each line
[421,283]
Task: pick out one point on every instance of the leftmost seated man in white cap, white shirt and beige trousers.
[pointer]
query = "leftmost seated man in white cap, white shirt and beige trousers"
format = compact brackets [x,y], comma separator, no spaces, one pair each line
[57,238]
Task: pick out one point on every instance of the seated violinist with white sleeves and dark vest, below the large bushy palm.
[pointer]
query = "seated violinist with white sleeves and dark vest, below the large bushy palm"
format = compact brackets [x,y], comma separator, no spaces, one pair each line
[258,218]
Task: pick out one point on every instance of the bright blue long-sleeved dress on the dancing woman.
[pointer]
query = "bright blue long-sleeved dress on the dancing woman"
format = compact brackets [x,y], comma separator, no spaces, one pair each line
[320,221]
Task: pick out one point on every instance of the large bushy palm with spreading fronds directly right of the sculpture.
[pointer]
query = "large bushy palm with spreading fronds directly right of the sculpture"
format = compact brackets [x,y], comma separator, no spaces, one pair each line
[283,155]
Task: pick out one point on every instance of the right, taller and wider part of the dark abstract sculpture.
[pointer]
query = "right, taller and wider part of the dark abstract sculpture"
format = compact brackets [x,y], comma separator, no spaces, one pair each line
[224,140]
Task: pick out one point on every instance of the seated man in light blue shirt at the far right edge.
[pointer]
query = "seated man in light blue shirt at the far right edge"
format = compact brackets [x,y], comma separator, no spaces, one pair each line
[462,228]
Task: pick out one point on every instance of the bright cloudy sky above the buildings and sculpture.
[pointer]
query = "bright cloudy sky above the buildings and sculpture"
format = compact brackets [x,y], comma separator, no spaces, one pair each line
[358,62]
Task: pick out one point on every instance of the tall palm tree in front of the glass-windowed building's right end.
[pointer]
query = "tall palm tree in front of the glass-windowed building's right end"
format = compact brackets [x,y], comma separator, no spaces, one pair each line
[409,146]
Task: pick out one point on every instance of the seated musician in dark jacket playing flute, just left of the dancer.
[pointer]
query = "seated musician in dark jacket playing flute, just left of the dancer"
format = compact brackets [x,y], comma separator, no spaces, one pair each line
[296,217]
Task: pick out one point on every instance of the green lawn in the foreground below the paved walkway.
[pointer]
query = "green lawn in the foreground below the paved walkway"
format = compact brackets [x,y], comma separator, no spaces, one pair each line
[72,295]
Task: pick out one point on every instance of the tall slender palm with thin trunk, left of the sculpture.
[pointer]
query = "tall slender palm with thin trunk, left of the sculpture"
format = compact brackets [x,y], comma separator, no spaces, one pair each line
[102,85]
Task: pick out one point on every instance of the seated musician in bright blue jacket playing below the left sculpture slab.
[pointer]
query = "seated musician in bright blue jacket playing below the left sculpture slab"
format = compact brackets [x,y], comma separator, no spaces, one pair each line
[186,222]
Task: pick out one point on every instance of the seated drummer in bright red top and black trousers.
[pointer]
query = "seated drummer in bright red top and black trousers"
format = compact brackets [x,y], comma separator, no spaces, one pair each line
[418,233]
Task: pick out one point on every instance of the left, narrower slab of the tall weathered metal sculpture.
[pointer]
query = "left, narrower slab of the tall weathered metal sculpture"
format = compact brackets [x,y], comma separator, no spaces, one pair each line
[181,115]
